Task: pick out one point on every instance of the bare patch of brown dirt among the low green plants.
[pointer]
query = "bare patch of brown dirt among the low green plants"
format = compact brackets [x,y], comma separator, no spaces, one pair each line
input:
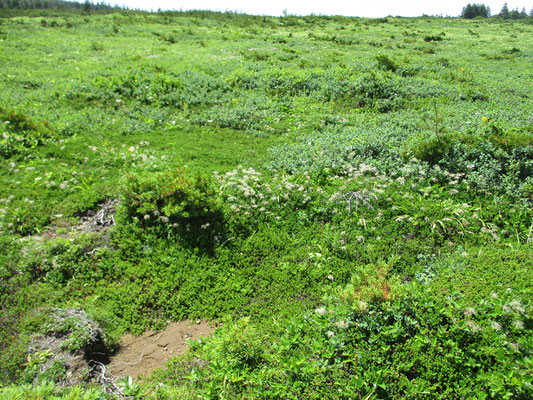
[139,355]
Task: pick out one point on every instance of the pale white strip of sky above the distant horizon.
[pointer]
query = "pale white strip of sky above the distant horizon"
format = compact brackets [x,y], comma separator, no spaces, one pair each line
[359,8]
